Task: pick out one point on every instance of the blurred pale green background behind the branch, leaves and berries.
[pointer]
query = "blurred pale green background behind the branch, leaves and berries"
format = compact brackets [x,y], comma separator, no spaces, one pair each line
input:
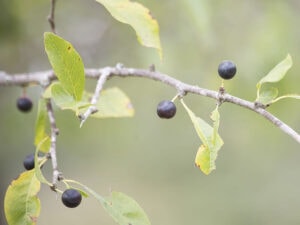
[152,160]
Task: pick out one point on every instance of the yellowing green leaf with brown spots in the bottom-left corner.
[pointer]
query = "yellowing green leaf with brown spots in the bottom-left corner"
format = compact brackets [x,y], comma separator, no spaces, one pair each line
[21,205]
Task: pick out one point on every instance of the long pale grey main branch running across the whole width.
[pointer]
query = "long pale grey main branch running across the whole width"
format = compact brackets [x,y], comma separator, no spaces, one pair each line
[182,88]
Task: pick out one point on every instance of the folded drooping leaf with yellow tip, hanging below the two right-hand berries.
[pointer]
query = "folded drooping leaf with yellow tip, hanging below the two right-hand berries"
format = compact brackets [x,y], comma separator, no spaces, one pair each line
[212,142]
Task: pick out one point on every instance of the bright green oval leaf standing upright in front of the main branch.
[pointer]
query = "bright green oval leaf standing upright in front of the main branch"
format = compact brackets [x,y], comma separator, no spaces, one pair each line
[66,63]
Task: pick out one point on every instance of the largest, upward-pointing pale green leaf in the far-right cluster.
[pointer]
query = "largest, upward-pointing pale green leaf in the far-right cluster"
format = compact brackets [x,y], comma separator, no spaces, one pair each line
[276,74]
